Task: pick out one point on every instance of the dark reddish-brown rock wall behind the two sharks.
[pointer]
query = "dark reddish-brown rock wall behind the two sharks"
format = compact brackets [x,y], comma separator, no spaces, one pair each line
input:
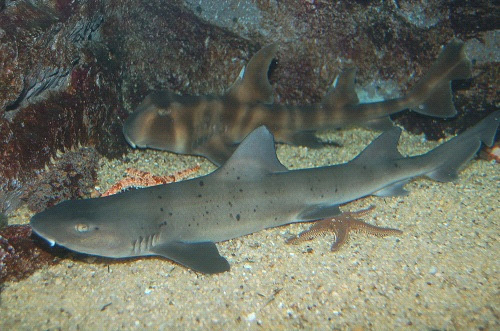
[71,71]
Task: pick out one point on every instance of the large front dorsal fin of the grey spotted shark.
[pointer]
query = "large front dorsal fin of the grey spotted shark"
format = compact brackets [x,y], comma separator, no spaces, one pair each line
[254,157]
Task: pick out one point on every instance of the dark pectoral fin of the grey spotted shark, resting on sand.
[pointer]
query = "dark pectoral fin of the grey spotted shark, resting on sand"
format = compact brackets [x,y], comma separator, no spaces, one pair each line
[203,257]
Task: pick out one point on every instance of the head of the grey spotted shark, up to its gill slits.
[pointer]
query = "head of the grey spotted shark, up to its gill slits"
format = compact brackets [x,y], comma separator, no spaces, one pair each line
[83,226]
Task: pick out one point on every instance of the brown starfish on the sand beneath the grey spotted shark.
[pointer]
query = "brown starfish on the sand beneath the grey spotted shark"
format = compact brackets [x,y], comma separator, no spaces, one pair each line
[341,226]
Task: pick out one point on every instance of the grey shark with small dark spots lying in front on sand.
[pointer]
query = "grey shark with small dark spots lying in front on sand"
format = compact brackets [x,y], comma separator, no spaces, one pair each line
[252,191]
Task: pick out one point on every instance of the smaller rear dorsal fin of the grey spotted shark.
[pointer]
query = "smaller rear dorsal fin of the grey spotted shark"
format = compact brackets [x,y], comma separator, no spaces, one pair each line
[383,149]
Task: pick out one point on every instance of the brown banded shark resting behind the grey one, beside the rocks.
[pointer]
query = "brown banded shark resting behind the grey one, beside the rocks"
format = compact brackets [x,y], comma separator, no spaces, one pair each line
[212,126]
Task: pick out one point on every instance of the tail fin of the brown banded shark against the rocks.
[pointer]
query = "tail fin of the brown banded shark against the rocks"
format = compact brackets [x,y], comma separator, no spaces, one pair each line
[432,95]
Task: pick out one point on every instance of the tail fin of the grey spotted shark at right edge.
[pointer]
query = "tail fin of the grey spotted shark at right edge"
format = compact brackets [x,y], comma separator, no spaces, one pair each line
[460,149]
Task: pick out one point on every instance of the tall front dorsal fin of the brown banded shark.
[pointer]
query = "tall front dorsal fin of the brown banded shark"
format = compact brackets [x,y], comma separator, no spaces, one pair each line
[254,86]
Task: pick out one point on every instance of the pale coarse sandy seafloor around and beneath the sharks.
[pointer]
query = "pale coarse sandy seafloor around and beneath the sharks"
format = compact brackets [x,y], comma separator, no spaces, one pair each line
[442,273]
